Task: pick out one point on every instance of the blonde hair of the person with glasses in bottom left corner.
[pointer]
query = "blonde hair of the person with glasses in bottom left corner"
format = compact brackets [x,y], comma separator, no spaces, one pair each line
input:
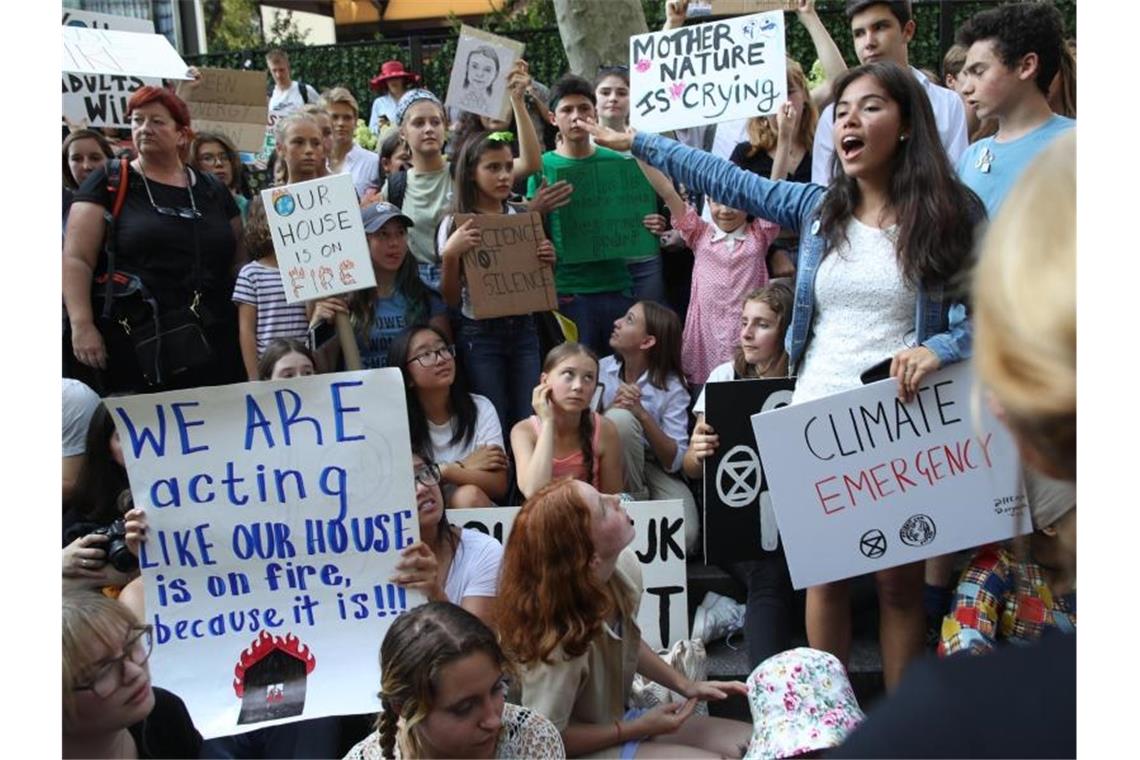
[89,619]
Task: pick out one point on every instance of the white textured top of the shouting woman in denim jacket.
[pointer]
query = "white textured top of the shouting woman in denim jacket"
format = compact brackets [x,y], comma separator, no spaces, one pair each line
[865,313]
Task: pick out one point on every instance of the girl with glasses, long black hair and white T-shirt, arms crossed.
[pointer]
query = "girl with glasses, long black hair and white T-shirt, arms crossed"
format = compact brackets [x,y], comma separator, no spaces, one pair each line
[460,430]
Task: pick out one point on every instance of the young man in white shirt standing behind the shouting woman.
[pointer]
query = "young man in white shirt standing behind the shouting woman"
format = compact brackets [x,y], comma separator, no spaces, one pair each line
[882,31]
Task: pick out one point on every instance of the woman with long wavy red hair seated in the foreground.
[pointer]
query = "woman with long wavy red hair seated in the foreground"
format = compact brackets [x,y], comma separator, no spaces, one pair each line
[567,615]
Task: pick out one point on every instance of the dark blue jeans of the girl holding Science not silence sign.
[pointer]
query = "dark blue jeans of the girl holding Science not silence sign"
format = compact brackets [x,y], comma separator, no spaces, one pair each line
[501,358]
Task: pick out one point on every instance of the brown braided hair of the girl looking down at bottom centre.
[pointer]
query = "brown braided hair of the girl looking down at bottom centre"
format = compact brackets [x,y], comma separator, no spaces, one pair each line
[419,645]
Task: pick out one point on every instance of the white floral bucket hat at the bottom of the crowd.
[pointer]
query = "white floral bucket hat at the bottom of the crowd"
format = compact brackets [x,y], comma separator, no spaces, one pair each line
[802,705]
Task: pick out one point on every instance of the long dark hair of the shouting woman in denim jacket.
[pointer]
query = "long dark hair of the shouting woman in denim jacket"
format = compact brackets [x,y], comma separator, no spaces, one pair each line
[937,214]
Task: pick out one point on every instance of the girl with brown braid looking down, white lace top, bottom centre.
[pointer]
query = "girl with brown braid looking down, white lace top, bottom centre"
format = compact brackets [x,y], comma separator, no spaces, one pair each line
[444,694]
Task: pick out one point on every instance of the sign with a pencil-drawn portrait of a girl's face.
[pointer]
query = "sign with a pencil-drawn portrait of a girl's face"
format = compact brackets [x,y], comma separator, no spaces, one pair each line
[478,84]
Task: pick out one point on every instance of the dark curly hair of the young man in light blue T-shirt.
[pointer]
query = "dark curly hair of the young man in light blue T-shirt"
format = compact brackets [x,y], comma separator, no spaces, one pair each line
[1019,29]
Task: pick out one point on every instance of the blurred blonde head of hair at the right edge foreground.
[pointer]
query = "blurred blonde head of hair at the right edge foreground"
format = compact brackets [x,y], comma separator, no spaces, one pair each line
[1025,308]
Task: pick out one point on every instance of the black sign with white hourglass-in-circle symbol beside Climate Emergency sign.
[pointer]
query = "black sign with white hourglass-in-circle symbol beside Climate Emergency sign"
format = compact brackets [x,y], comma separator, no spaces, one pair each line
[739,519]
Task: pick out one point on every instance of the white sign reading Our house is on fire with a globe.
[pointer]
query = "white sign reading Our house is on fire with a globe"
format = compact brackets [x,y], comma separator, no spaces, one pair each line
[319,238]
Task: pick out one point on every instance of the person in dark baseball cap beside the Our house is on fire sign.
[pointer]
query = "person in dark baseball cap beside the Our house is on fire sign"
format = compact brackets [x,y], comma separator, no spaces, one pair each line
[401,298]
